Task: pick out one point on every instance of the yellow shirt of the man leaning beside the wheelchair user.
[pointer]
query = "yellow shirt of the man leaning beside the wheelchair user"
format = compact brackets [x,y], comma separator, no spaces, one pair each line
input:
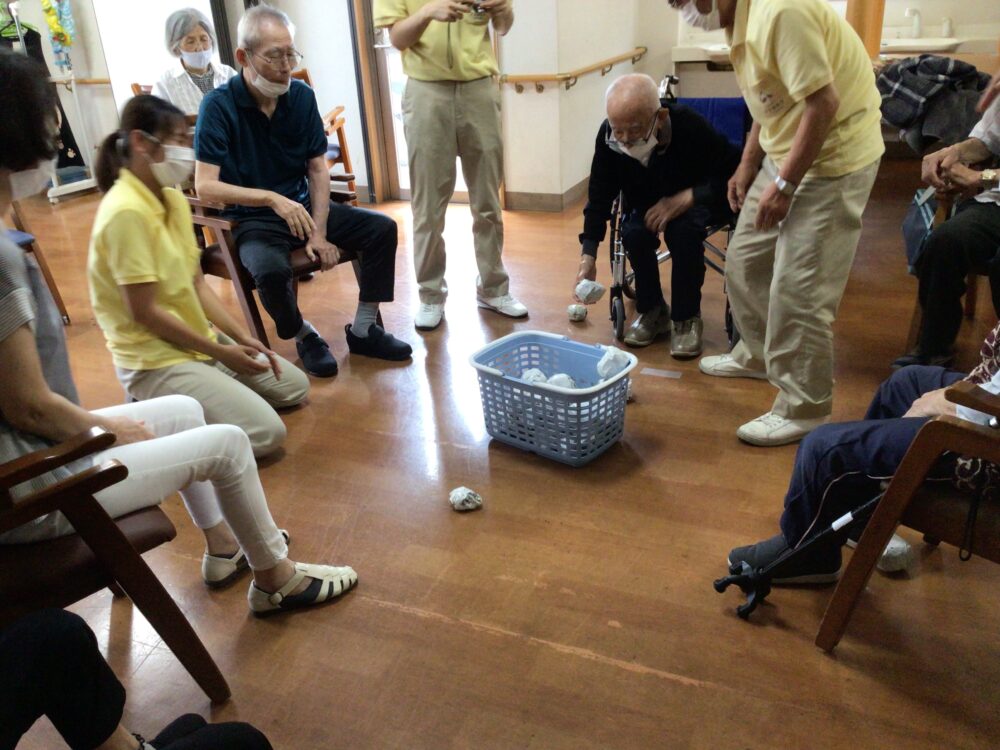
[785,50]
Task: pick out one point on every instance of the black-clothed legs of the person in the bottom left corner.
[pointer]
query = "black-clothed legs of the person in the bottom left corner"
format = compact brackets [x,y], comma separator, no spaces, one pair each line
[50,666]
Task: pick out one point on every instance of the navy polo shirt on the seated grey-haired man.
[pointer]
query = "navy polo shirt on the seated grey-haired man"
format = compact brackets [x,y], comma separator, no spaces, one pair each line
[255,151]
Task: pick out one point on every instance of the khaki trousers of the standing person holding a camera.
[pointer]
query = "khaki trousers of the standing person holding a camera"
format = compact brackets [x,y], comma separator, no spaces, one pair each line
[443,120]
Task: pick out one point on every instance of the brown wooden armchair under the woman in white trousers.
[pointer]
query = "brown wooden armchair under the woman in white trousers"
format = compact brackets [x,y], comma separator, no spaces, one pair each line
[103,552]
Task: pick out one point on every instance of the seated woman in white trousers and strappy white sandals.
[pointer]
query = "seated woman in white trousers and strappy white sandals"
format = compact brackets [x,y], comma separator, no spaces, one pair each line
[164,442]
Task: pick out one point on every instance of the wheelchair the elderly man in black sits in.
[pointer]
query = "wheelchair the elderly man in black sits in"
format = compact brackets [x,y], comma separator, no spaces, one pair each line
[623,279]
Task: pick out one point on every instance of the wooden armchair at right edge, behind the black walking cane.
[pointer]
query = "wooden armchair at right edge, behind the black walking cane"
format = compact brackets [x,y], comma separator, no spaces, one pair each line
[936,509]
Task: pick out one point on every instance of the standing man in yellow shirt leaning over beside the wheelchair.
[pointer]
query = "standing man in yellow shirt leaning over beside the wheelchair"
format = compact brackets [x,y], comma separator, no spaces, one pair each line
[807,170]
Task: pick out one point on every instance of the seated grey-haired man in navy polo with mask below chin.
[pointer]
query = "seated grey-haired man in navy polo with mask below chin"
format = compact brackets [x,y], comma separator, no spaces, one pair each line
[260,148]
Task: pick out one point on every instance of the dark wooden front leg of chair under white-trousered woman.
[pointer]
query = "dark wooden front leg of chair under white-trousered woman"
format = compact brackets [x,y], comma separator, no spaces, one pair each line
[92,522]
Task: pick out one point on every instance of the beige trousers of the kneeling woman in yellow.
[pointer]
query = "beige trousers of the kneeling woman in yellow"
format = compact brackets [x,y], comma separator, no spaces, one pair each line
[247,401]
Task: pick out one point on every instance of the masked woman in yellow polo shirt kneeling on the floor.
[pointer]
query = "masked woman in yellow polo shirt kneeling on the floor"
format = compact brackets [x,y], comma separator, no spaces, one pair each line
[149,295]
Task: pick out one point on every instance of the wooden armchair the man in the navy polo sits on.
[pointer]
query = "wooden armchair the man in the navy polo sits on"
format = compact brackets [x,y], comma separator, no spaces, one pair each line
[221,258]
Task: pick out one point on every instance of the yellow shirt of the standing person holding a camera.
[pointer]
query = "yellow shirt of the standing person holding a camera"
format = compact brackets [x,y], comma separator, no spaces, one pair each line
[458,51]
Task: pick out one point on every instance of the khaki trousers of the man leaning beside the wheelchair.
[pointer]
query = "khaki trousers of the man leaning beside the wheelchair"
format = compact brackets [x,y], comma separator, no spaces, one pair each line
[785,284]
